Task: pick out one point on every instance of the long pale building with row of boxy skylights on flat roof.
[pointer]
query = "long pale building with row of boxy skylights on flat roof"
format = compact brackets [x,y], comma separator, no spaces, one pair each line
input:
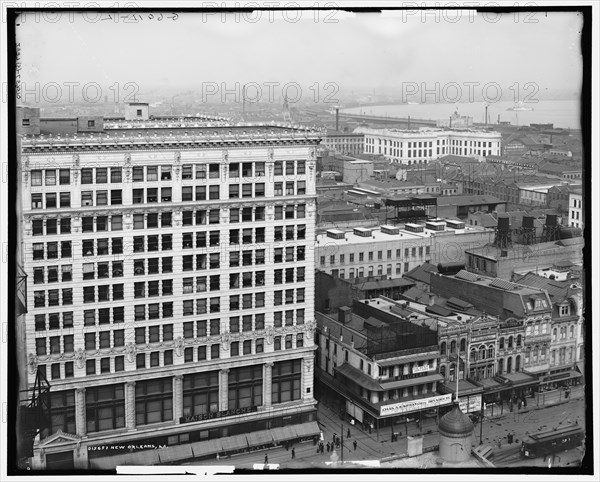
[395,250]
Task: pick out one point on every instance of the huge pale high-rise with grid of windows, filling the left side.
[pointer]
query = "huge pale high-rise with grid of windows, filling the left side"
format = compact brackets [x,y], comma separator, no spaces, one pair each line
[171,289]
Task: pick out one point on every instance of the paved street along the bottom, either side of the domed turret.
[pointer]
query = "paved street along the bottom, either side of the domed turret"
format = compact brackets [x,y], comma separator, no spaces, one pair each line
[373,446]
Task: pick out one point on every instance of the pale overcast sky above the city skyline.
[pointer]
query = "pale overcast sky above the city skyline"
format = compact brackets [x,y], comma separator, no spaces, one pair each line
[368,50]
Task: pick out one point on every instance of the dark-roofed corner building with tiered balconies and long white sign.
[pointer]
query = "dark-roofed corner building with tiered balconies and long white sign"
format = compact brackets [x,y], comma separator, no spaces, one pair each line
[377,367]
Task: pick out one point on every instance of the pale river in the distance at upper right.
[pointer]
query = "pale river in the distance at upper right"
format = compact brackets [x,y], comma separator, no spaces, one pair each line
[561,113]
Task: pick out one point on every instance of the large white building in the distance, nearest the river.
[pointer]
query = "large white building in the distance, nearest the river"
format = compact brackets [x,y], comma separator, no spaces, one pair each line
[419,147]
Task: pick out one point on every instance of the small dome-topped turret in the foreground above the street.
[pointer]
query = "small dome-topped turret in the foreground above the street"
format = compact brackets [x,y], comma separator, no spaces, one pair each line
[456,430]
